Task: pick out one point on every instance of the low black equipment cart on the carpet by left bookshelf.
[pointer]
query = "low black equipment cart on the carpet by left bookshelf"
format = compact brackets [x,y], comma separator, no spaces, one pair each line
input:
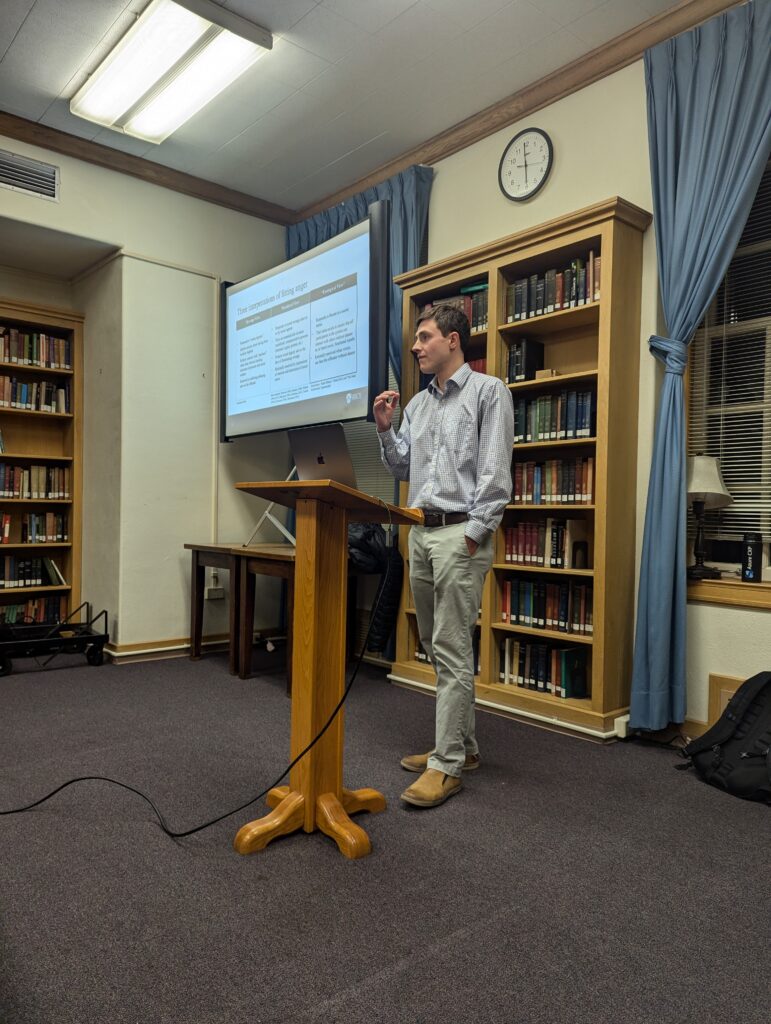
[35,641]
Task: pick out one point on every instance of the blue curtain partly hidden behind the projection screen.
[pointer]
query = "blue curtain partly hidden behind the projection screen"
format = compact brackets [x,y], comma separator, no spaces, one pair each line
[409,192]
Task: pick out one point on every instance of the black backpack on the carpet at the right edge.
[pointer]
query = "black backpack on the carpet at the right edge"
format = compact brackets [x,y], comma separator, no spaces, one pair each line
[736,753]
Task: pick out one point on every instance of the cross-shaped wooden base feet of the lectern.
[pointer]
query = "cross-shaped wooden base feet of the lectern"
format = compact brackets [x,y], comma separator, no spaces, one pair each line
[332,818]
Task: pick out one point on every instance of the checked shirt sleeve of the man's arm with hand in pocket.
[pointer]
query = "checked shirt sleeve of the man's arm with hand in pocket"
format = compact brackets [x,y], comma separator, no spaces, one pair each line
[494,473]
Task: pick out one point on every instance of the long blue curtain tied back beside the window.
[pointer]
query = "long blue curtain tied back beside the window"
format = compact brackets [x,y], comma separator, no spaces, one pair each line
[709,95]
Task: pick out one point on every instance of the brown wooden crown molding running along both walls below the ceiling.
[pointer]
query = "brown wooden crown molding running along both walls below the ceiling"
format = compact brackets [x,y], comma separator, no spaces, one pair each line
[613,57]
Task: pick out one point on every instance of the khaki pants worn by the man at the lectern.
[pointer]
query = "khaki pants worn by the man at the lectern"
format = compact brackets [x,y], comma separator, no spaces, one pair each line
[447,584]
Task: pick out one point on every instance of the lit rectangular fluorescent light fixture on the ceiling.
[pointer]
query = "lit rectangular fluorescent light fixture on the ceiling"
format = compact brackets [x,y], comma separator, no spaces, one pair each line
[174,61]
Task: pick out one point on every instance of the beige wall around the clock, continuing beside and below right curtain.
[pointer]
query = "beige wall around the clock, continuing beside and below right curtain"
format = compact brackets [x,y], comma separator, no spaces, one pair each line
[602,150]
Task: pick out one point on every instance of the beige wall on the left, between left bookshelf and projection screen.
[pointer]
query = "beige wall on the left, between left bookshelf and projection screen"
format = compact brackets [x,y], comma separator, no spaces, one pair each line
[155,475]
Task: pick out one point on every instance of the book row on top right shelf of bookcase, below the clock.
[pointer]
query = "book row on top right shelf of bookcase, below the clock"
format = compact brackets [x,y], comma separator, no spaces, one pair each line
[538,294]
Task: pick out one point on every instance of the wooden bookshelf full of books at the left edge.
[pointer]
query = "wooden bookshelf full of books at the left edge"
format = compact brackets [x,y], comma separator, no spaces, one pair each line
[41,502]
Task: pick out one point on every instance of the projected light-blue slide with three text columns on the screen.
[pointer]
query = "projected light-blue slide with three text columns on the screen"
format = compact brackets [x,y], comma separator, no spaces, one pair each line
[302,333]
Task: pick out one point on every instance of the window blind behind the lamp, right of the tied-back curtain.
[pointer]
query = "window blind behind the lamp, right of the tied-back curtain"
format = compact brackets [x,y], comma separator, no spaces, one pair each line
[730,412]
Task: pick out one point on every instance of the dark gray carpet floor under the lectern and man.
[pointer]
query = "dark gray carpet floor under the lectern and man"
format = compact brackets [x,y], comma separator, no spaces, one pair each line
[569,882]
